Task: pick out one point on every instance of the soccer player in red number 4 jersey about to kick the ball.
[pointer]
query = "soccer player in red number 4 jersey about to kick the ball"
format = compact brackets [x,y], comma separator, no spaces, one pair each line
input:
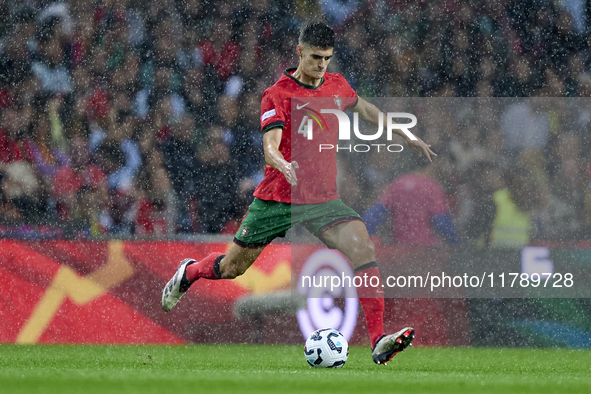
[309,181]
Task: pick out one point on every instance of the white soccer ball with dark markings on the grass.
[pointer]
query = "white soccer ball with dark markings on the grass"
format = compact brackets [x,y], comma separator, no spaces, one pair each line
[326,348]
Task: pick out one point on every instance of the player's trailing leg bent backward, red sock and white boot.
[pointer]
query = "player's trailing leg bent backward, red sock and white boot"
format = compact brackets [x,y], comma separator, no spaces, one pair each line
[214,266]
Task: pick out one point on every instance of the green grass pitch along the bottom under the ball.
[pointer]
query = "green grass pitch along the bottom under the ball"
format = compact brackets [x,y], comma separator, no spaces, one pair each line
[282,369]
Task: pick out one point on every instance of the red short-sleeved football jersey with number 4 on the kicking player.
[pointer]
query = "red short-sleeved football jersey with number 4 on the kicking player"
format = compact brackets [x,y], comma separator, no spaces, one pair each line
[317,170]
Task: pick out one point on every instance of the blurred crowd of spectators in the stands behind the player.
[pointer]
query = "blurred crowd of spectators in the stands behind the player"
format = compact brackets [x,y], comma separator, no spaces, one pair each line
[137,118]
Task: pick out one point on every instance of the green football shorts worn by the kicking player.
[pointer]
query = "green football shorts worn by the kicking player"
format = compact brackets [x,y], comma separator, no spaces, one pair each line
[266,220]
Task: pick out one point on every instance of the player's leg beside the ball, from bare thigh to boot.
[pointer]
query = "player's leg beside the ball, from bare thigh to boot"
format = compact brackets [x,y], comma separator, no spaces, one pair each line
[352,239]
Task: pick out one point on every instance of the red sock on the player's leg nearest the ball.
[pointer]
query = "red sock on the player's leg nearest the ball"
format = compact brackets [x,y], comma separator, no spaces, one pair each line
[371,300]
